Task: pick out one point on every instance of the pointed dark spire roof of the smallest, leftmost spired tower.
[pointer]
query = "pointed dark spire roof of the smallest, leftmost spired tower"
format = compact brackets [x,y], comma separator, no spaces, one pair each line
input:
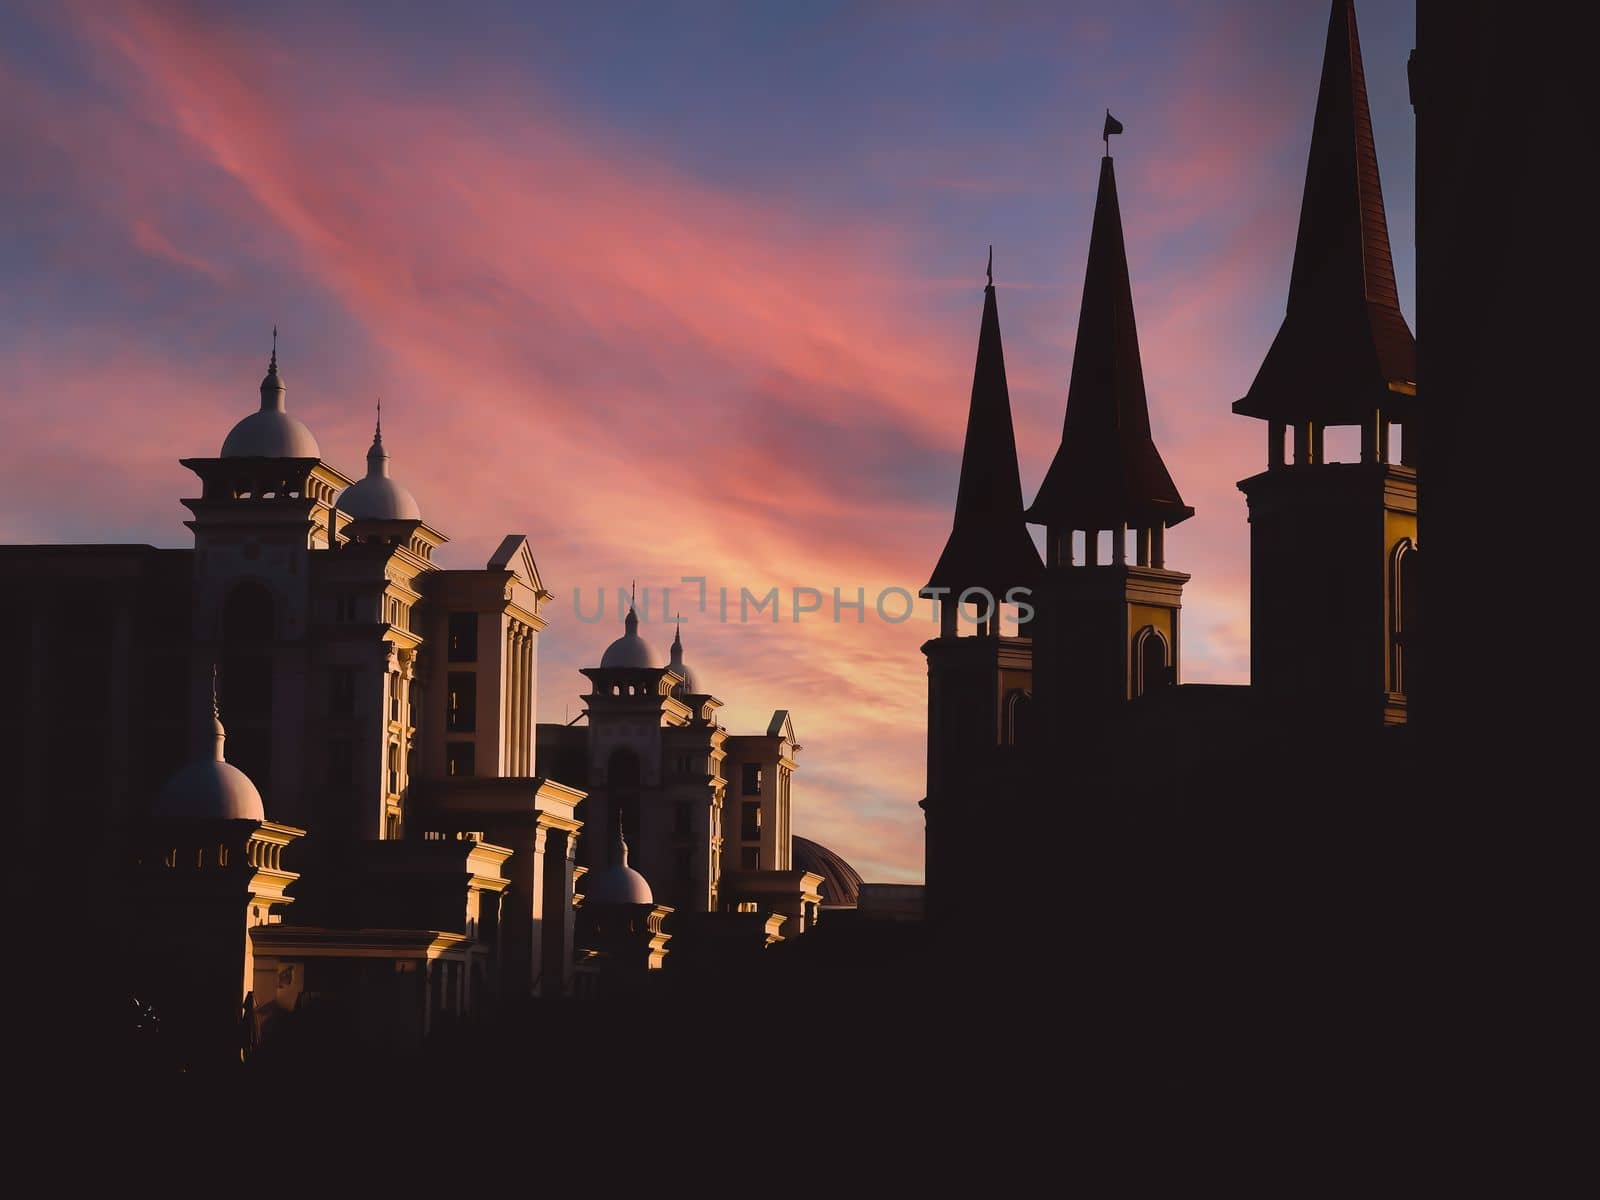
[990,545]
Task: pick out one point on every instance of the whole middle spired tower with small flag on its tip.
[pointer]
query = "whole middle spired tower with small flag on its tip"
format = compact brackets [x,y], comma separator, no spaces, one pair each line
[1106,630]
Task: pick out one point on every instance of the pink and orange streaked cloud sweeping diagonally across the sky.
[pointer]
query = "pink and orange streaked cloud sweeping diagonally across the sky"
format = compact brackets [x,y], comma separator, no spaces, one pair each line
[647,374]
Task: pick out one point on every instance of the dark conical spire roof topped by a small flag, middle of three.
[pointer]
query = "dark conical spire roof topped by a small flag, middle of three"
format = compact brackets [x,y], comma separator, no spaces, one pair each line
[1108,470]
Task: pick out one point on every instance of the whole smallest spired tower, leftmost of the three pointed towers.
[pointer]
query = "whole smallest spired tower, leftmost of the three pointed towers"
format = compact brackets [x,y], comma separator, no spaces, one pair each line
[980,687]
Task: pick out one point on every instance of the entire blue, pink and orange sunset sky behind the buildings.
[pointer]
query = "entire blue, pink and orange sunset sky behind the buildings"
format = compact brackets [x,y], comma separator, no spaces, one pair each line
[676,290]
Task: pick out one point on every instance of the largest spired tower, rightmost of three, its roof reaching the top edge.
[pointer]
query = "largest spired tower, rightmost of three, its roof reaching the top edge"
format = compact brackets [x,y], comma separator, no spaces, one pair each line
[1334,545]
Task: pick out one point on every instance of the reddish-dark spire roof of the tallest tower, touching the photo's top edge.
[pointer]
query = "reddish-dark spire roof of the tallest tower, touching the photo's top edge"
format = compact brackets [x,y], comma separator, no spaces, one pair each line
[1345,348]
